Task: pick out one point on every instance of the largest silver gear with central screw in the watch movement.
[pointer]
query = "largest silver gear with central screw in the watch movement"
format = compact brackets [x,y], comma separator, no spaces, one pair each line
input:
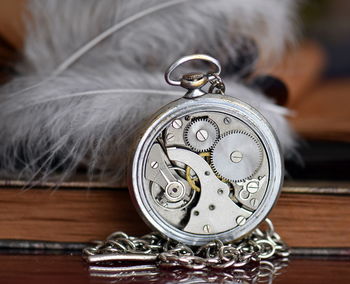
[237,155]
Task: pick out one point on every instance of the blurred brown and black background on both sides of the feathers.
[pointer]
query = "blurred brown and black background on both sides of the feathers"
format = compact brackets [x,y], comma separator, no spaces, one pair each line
[317,73]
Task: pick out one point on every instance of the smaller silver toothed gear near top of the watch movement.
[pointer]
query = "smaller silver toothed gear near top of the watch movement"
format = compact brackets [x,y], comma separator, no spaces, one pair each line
[201,134]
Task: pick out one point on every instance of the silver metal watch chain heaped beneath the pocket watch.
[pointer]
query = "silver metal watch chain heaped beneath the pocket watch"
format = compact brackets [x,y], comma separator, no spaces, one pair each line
[259,245]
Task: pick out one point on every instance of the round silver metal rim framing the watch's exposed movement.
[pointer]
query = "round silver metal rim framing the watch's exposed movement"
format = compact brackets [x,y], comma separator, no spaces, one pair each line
[189,106]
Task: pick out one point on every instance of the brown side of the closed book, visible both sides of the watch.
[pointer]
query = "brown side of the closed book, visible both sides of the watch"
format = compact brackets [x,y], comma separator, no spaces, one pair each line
[306,215]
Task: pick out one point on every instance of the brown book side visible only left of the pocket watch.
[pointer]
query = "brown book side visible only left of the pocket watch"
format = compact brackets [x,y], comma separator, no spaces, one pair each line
[63,215]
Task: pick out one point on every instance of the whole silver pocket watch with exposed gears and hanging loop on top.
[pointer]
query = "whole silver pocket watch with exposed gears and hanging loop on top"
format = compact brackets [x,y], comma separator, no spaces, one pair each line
[206,166]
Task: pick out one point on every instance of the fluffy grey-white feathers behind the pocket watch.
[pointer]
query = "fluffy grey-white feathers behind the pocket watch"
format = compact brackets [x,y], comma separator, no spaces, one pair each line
[92,71]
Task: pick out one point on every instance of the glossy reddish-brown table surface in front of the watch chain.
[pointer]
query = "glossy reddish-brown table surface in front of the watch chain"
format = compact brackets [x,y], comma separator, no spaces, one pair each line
[72,269]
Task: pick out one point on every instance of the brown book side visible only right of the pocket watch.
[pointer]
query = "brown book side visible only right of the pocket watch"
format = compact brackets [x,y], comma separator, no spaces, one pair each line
[309,220]
